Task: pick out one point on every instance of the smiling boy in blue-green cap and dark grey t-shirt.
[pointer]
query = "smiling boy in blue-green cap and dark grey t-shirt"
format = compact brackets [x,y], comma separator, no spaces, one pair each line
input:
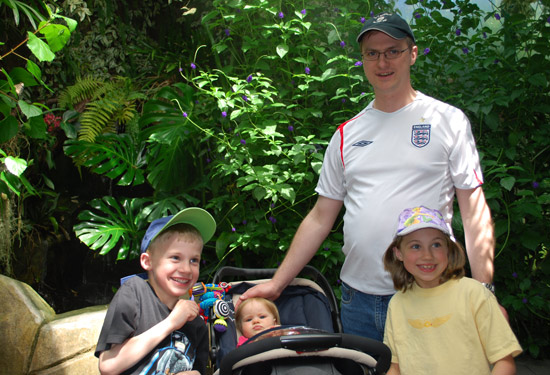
[148,328]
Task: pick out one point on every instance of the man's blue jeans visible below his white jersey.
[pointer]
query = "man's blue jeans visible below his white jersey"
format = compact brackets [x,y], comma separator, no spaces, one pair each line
[363,314]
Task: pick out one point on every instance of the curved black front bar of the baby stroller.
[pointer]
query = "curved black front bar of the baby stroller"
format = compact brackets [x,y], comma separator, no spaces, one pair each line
[307,343]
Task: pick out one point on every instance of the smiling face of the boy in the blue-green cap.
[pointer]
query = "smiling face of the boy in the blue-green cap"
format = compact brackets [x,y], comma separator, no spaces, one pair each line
[173,265]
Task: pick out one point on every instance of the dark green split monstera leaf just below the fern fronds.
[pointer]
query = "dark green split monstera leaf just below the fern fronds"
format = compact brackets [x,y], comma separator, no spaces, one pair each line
[112,155]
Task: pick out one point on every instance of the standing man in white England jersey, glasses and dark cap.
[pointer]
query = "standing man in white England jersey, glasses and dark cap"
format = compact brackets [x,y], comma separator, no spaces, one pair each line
[403,149]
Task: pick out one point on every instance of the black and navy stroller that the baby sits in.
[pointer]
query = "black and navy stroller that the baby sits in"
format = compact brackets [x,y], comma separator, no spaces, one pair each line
[310,341]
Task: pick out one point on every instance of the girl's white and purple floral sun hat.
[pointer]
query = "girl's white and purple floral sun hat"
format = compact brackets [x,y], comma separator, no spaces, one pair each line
[412,219]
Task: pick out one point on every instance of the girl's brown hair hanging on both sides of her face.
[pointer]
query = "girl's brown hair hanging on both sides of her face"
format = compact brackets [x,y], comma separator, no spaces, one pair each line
[403,280]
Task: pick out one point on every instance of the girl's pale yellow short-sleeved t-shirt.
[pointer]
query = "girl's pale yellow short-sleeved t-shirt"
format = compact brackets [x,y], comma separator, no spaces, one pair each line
[454,328]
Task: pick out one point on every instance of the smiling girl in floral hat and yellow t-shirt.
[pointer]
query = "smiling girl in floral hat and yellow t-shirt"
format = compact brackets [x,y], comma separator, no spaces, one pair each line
[440,322]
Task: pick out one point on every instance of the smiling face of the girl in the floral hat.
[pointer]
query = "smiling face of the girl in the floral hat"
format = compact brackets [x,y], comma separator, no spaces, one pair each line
[424,254]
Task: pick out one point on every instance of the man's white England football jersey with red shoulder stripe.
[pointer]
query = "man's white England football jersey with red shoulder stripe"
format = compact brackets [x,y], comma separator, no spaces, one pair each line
[380,163]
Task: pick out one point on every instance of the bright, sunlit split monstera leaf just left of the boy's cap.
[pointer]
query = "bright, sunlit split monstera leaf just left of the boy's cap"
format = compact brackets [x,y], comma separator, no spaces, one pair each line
[110,224]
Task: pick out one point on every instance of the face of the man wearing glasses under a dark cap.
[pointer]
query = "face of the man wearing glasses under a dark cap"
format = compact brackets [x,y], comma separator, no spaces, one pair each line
[388,76]
